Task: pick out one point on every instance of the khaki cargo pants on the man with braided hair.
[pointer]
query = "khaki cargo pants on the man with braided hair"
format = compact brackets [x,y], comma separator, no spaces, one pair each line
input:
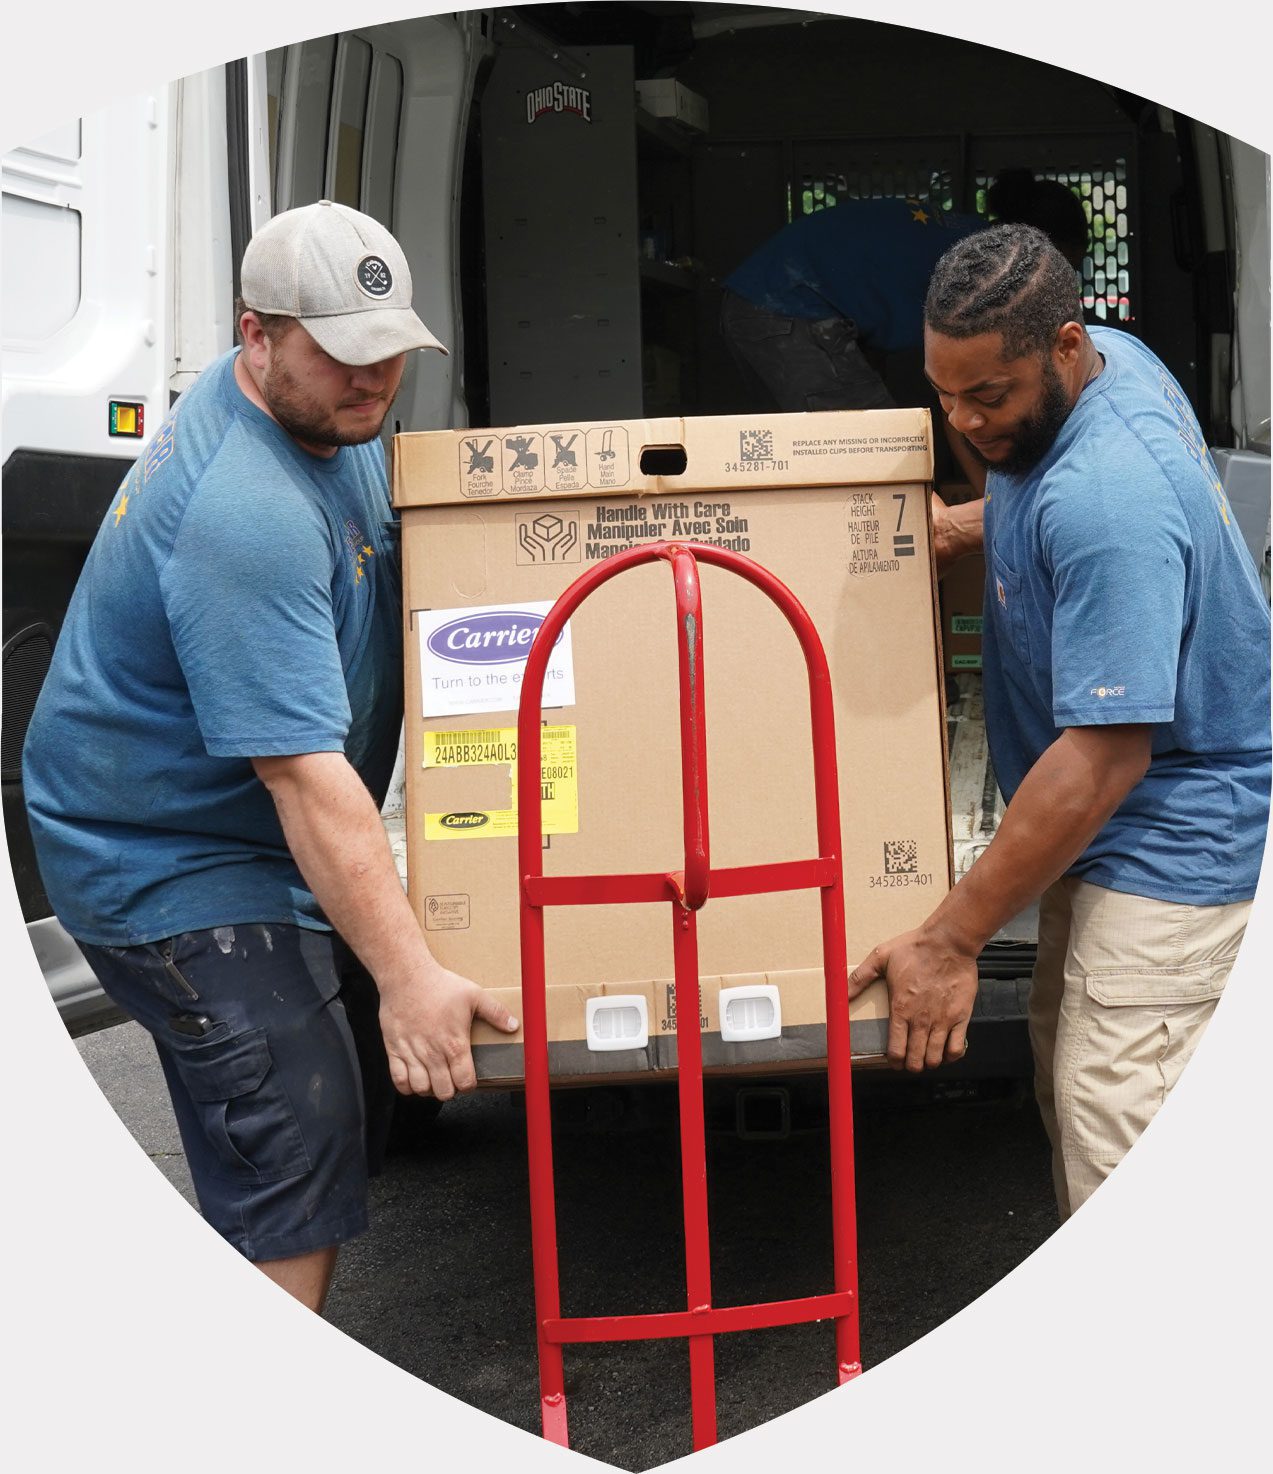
[1122,993]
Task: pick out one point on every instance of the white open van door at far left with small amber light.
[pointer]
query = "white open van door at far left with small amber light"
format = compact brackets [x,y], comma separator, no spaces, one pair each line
[88,353]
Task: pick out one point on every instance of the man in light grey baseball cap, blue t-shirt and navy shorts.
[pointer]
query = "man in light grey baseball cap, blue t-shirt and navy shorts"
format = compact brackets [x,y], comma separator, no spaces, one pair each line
[216,736]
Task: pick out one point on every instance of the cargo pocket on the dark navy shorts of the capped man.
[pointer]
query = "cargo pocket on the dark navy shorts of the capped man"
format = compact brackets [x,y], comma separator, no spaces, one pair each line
[244,1108]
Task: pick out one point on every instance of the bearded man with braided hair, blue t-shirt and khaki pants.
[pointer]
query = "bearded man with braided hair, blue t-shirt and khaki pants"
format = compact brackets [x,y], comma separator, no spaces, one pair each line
[1128,720]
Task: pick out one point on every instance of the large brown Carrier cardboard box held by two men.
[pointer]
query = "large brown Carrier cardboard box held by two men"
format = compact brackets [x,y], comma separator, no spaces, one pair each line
[496,525]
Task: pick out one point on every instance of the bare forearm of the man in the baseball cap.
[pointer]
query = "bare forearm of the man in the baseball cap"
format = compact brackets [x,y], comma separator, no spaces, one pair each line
[338,841]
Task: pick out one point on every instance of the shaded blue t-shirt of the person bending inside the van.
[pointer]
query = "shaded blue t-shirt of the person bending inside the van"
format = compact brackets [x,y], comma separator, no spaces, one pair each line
[869,260]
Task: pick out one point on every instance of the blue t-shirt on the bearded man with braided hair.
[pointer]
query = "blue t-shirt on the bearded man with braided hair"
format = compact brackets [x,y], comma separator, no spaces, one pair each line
[1119,590]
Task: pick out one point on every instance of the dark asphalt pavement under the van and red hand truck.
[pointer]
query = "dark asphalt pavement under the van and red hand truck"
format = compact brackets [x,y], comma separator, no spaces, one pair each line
[953,1193]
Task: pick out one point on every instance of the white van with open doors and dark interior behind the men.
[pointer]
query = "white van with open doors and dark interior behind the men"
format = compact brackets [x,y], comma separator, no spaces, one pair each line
[571,185]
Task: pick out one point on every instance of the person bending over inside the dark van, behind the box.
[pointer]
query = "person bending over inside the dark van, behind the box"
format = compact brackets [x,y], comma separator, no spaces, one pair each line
[817,307]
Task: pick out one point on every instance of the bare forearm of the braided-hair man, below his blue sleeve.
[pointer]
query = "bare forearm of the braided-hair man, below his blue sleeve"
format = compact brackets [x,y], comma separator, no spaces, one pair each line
[1056,814]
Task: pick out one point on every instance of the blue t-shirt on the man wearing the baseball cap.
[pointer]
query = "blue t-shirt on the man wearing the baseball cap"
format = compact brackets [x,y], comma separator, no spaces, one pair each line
[242,599]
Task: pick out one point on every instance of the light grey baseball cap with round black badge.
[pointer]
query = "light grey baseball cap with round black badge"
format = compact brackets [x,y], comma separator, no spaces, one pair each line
[343,276]
